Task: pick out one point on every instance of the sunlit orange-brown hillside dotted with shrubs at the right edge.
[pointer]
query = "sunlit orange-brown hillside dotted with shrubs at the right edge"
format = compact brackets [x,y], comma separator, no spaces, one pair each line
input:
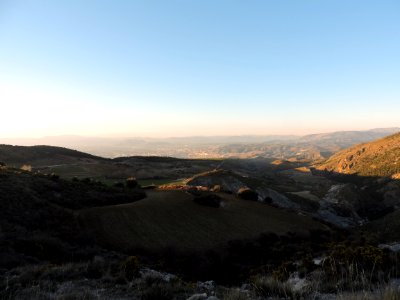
[377,158]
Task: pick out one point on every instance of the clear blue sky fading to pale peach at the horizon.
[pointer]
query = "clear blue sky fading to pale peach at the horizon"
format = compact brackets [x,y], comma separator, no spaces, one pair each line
[198,67]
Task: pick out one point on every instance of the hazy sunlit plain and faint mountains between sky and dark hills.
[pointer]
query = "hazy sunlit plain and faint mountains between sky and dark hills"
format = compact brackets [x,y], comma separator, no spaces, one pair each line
[310,147]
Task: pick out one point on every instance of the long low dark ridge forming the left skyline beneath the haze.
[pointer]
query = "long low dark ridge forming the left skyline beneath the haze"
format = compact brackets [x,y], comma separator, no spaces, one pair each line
[69,163]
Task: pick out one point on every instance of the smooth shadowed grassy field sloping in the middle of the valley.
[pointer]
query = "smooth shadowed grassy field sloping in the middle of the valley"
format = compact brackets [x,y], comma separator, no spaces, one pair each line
[171,219]
